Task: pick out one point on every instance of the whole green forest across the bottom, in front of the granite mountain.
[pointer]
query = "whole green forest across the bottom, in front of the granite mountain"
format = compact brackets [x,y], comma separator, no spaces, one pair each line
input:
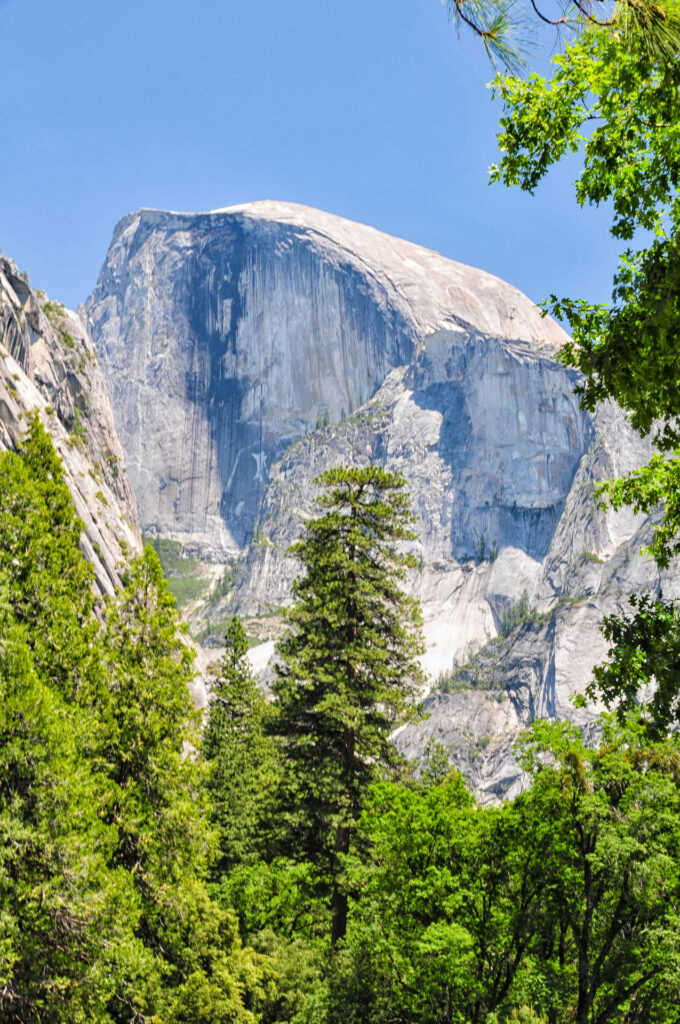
[286,865]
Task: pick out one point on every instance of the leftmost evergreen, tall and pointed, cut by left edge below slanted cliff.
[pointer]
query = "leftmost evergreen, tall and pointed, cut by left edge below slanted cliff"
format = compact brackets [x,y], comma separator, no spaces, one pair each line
[68,916]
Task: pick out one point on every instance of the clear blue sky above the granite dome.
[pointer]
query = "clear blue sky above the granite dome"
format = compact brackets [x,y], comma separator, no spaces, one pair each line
[373,110]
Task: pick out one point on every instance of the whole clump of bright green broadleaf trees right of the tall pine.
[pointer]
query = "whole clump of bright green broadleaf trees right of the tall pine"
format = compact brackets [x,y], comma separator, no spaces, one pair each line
[559,907]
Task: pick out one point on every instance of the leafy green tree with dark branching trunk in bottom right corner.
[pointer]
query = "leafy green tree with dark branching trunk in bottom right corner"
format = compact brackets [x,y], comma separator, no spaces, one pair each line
[610,873]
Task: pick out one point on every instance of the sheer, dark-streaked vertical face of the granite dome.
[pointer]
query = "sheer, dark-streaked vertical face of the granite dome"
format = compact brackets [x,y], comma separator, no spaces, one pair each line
[224,338]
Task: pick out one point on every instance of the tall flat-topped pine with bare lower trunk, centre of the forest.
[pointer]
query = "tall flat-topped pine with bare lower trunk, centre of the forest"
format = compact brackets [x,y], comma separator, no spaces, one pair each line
[349,670]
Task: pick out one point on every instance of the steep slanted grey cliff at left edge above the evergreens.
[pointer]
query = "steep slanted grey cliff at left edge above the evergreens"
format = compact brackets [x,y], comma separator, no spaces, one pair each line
[49,366]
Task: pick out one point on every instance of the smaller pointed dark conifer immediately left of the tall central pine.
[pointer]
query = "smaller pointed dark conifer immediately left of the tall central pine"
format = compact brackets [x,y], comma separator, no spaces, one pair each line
[241,758]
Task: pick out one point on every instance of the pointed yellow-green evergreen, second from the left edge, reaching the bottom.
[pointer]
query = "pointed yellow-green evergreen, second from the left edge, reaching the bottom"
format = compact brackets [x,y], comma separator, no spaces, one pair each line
[149,728]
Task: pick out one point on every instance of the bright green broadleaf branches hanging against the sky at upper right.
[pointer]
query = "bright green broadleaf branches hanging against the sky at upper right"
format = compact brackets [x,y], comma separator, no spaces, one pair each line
[626,352]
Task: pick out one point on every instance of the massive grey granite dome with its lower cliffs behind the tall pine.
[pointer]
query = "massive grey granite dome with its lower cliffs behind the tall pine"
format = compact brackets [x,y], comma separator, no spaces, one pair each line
[248,350]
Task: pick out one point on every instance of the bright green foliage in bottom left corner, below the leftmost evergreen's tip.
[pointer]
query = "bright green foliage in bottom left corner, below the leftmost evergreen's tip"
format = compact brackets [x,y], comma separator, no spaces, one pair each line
[67,920]
